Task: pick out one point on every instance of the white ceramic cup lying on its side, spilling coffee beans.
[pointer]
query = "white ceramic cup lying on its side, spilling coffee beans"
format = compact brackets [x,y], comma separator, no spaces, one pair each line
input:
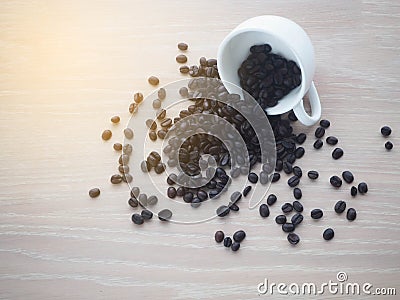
[286,39]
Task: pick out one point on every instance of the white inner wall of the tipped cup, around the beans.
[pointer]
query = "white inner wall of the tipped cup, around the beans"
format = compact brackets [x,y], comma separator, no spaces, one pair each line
[235,48]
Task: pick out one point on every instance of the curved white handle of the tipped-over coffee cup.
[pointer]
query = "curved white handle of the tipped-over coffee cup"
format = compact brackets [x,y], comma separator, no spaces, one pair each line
[315,103]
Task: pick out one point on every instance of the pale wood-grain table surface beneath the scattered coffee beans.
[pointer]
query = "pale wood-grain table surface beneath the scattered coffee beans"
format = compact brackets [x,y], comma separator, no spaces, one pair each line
[68,66]
